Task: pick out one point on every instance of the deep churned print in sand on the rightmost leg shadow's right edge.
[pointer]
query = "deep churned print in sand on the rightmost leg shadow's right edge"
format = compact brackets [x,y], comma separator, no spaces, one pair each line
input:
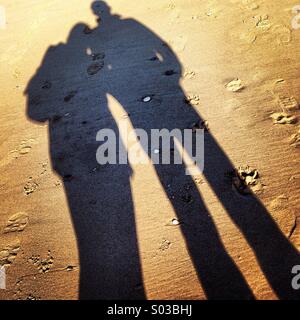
[244,179]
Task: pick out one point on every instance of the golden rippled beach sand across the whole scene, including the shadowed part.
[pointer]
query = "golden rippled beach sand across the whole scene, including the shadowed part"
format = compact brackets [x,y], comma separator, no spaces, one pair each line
[70,229]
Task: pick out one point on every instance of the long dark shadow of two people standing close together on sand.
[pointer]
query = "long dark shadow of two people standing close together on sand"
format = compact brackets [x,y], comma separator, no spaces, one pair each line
[123,58]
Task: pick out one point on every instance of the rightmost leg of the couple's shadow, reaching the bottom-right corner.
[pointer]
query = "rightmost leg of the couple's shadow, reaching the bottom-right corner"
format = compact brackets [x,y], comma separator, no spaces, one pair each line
[274,252]
